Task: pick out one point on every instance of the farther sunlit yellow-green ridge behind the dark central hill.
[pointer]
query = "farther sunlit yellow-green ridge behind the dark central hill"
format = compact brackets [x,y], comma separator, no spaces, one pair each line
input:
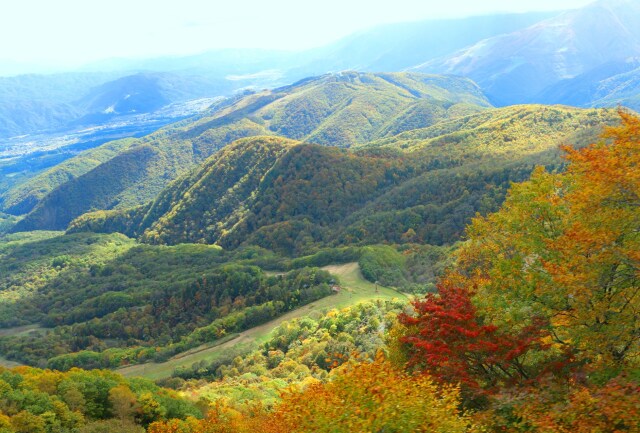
[338,110]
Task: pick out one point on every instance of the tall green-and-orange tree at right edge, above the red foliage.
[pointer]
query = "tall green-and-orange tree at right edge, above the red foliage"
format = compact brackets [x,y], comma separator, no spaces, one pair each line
[566,247]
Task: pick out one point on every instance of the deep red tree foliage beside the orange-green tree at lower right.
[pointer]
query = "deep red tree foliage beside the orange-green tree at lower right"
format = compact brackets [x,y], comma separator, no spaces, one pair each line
[448,340]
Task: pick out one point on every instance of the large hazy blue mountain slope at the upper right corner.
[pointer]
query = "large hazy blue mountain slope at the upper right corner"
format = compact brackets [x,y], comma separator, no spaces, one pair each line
[534,64]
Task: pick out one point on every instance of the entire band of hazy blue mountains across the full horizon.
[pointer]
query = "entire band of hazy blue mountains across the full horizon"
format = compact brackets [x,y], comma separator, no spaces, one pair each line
[584,57]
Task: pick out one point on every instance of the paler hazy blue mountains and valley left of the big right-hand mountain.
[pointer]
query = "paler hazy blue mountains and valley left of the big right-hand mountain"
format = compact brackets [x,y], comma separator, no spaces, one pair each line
[113,88]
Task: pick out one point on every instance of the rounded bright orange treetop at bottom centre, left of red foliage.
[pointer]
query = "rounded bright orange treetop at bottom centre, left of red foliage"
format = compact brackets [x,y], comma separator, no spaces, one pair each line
[374,397]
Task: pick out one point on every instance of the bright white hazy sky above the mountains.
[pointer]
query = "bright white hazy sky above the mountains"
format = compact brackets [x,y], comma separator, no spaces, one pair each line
[76,31]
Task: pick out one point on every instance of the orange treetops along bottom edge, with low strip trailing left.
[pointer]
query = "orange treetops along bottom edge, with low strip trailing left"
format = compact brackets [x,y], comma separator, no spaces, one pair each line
[361,397]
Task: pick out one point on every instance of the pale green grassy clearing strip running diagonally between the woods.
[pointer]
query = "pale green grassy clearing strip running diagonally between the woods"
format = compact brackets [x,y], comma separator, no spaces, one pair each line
[354,289]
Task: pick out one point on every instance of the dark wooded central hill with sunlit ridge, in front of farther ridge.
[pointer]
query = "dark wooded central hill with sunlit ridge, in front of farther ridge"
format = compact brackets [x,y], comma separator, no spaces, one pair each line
[296,198]
